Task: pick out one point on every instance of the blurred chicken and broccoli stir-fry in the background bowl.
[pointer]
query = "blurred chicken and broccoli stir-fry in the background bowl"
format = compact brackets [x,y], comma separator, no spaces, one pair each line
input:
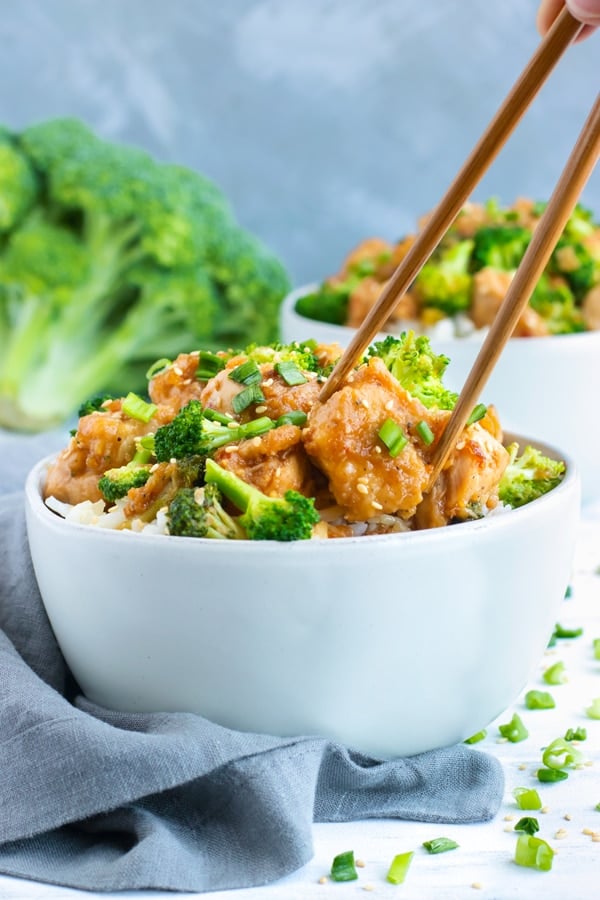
[459,291]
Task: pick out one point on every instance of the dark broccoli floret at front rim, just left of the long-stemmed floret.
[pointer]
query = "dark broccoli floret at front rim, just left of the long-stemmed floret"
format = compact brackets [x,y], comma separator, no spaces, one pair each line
[199,513]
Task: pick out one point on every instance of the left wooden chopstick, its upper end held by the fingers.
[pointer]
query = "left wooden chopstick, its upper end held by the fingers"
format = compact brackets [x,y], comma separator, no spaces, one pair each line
[537,70]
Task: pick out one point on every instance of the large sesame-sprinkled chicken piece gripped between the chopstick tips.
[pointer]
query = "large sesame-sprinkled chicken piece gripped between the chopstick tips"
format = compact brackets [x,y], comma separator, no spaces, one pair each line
[342,438]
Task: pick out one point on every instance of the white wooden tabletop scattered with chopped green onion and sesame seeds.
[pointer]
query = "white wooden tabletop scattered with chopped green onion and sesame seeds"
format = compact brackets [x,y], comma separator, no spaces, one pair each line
[483,865]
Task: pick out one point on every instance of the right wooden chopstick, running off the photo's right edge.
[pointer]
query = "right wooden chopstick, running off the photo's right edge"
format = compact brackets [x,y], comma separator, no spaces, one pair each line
[577,170]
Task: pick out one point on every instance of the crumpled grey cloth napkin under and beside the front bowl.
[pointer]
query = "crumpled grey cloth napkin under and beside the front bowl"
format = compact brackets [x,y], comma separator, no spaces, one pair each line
[108,801]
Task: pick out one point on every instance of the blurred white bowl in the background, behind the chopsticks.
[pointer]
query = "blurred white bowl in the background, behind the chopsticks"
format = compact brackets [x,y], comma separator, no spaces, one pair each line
[548,386]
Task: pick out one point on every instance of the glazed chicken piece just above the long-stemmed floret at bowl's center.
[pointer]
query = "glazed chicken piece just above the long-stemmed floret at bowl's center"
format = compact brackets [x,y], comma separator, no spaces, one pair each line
[275,462]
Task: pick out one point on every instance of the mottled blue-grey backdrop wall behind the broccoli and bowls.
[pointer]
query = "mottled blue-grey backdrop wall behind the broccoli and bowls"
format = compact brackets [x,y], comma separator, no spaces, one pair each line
[323,120]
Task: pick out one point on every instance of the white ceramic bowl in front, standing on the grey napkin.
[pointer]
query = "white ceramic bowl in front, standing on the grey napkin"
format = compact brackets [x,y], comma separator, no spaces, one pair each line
[390,644]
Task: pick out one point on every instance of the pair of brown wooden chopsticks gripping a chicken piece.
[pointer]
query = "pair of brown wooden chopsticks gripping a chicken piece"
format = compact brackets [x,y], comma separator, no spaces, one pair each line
[549,228]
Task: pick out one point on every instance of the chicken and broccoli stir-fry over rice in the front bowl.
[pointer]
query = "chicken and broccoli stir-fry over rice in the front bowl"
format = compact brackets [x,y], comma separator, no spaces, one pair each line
[237,445]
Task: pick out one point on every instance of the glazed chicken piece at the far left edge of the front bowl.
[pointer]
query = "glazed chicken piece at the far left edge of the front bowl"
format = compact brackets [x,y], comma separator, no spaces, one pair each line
[104,440]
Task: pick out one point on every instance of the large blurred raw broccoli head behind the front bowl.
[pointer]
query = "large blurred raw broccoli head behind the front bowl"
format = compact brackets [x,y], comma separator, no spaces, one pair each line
[111,259]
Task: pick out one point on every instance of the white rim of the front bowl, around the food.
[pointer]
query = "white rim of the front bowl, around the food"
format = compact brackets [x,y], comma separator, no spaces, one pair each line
[544,505]
